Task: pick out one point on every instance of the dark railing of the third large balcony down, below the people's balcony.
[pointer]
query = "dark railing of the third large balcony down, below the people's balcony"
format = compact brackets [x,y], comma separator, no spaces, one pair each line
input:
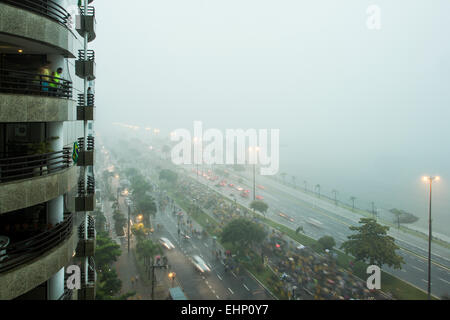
[26,167]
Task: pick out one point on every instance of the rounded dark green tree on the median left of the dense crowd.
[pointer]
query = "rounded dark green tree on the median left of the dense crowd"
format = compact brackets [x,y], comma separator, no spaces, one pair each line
[243,233]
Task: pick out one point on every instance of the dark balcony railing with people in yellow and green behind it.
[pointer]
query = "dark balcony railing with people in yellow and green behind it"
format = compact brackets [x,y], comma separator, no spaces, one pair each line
[20,82]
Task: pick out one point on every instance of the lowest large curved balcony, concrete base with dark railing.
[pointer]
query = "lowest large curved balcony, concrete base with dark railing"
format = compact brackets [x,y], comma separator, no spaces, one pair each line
[26,264]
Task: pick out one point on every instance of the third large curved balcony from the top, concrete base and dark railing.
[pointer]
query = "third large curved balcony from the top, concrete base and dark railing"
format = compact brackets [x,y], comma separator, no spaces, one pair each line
[29,180]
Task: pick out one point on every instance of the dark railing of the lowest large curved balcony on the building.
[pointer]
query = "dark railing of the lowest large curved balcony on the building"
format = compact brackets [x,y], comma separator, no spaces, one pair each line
[21,252]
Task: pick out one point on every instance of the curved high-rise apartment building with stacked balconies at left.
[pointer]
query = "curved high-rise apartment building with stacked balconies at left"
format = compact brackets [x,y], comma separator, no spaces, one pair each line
[47,185]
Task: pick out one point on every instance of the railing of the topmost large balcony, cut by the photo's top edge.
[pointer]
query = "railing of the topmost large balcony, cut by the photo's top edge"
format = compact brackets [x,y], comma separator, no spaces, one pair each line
[47,8]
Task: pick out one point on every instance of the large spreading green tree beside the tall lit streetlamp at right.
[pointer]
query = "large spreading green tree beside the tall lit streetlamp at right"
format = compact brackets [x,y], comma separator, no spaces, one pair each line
[371,244]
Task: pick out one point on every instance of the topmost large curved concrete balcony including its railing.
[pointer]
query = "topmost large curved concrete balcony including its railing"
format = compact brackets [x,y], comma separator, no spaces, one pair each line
[43,22]
